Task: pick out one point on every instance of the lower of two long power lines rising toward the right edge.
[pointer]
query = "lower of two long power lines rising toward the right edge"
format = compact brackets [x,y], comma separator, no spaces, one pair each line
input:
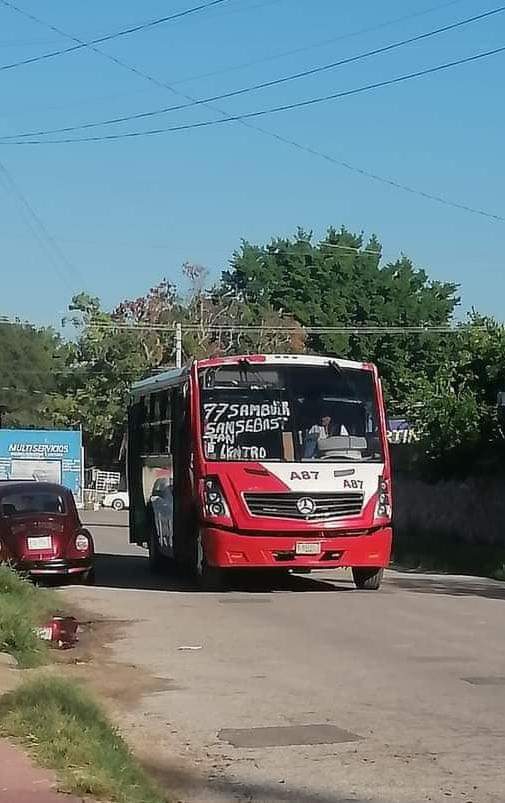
[272,109]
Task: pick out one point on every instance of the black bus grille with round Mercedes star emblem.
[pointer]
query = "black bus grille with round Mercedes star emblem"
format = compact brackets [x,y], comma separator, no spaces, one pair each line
[304,507]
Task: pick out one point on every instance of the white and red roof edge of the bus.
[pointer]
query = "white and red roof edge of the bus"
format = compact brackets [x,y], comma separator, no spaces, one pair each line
[174,376]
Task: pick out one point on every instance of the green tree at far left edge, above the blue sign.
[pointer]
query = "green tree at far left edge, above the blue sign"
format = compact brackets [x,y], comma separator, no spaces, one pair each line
[30,361]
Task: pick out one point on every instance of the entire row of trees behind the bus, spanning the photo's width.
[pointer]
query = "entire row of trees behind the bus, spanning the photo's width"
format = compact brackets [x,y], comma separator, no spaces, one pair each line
[265,301]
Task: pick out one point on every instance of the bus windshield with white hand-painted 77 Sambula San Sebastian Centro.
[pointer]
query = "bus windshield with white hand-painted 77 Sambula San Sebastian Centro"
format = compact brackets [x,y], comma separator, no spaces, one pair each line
[289,413]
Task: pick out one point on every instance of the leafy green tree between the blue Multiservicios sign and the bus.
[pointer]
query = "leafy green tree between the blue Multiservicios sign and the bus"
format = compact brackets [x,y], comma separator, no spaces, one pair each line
[107,355]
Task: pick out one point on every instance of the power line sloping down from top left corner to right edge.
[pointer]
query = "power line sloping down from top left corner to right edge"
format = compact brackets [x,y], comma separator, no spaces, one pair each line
[278,137]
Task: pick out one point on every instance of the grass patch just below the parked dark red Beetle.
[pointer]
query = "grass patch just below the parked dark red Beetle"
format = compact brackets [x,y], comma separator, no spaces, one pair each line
[23,608]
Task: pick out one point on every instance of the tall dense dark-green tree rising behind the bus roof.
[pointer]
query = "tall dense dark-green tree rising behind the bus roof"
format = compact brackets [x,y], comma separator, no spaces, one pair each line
[342,281]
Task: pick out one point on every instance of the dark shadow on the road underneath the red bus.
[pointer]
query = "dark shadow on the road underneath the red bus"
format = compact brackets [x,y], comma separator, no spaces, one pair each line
[132,572]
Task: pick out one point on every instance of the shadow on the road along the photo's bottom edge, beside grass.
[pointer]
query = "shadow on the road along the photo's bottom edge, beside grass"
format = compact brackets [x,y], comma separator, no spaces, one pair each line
[220,788]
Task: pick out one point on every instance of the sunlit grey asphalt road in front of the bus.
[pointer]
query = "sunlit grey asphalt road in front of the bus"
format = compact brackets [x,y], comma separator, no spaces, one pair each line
[312,692]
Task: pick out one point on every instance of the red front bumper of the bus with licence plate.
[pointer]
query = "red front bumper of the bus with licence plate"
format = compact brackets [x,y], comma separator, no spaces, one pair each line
[229,549]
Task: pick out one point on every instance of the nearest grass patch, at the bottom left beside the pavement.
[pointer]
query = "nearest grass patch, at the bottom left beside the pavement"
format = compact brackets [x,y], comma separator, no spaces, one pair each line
[68,732]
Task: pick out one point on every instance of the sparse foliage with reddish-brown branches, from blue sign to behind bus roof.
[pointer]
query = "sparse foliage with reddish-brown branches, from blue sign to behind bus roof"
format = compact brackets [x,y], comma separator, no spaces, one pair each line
[113,349]
